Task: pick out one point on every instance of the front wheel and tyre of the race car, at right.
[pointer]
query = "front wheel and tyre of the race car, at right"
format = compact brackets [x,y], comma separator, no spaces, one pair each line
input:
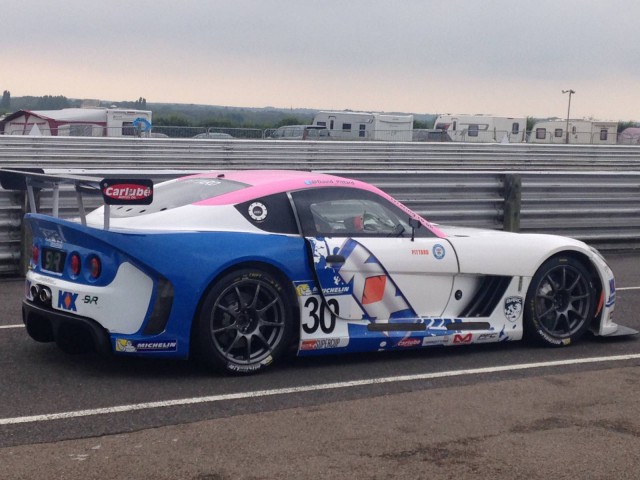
[560,302]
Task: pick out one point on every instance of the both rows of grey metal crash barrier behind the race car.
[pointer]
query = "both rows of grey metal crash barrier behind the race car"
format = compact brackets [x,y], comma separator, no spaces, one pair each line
[587,192]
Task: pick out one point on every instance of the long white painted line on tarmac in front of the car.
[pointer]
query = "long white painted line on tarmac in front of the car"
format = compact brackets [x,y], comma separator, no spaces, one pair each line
[308,388]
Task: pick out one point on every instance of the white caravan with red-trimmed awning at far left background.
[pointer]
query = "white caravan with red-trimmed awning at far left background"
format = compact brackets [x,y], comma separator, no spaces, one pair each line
[78,122]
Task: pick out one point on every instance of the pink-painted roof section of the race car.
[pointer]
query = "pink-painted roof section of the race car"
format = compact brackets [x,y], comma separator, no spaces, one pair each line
[261,183]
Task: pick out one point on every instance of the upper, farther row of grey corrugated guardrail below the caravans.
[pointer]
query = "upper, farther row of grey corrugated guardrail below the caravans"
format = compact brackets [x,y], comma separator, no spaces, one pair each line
[159,153]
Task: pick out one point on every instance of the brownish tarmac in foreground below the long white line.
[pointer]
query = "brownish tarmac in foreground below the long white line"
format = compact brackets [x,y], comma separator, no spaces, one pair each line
[564,426]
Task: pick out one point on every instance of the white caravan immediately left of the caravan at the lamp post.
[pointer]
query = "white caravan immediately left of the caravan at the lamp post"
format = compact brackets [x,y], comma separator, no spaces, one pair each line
[482,128]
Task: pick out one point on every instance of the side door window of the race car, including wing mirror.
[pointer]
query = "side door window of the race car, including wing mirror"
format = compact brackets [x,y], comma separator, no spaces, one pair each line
[350,212]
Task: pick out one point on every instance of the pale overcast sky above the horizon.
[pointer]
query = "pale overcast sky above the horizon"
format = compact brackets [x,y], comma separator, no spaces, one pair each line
[503,57]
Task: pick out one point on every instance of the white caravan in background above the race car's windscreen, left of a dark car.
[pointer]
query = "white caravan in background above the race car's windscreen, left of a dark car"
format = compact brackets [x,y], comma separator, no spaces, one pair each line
[366,126]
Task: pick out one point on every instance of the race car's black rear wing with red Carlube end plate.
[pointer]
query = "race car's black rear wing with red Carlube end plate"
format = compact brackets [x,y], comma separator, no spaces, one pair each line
[114,191]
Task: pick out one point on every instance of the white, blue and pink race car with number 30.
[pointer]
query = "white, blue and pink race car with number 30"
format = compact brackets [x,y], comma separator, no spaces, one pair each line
[238,267]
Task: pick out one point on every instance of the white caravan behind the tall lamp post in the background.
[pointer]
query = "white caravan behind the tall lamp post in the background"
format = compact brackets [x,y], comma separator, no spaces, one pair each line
[579,132]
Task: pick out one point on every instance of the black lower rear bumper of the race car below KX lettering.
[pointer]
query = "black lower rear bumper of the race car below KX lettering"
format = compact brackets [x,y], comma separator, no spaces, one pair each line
[71,332]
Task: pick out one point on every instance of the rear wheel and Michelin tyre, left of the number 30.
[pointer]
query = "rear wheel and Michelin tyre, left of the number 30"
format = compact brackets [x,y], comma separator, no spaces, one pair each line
[245,322]
